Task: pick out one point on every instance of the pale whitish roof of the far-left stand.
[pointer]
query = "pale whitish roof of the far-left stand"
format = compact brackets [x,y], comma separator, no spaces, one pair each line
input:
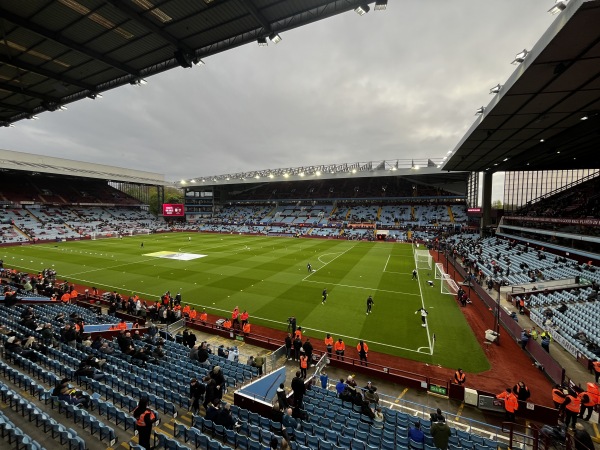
[27,162]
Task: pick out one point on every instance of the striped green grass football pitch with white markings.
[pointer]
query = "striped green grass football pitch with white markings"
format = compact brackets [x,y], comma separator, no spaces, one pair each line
[269,277]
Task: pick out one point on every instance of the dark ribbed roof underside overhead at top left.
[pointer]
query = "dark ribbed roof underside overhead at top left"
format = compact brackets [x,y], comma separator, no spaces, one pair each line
[55,52]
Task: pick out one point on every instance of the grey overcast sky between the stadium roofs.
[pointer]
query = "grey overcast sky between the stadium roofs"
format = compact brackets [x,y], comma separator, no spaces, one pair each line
[397,84]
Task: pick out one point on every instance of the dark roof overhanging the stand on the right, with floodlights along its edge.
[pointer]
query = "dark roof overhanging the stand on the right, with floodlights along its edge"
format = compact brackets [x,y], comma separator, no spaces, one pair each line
[547,114]
